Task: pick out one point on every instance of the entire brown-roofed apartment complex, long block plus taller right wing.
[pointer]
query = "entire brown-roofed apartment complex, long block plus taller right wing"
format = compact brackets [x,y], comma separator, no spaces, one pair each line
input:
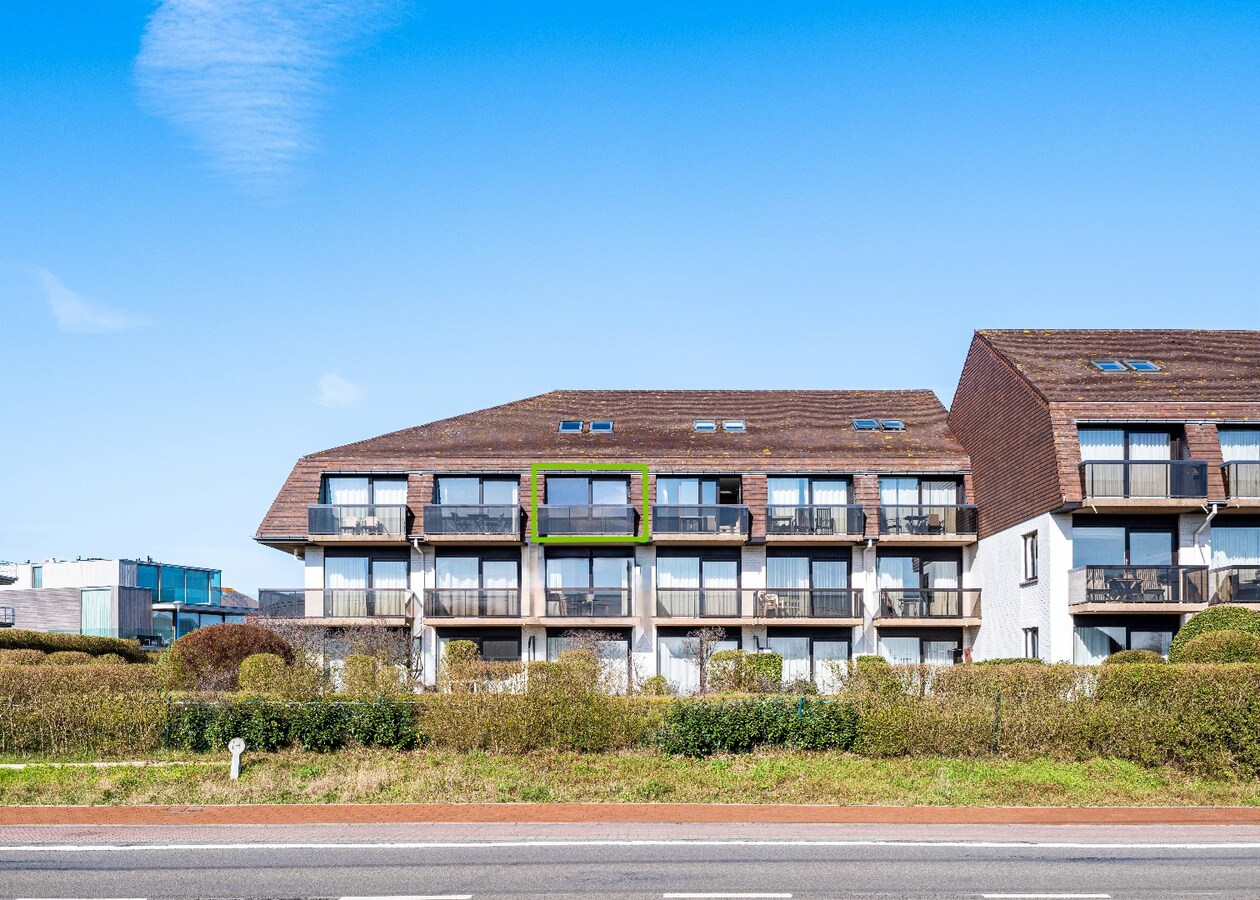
[1096,488]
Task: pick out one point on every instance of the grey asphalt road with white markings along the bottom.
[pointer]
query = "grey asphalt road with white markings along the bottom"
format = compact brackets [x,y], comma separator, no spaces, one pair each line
[632,862]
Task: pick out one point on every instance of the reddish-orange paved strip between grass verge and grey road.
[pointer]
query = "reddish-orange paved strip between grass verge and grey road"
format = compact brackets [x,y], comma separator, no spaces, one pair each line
[389,814]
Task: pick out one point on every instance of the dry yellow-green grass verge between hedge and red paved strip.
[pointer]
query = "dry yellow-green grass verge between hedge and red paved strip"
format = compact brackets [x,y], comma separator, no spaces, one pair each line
[432,777]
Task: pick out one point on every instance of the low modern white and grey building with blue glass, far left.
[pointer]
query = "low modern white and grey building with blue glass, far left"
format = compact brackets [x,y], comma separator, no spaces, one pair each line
[152,602]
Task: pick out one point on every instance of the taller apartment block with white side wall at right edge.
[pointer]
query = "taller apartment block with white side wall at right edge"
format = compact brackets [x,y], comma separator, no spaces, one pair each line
[1118,478]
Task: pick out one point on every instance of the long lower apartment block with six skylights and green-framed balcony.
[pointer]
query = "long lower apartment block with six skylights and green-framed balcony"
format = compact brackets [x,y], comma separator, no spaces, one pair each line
[815,524]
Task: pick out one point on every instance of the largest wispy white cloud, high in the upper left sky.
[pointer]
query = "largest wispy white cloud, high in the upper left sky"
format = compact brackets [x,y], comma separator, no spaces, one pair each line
[245,78]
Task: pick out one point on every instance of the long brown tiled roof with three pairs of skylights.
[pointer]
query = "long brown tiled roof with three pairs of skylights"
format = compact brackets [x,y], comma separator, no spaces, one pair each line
[787,430]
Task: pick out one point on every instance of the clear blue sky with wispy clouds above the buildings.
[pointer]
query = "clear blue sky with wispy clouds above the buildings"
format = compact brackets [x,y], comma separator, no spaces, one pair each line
[236,233]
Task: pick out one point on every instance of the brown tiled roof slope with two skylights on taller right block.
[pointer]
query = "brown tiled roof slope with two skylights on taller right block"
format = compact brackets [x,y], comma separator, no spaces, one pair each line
[1198,366]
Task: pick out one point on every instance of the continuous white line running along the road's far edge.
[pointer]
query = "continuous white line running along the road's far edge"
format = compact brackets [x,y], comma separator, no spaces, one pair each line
[612,843]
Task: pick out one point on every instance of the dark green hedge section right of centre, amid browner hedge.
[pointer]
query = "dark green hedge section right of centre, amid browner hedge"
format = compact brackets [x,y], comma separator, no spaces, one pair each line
[704,728]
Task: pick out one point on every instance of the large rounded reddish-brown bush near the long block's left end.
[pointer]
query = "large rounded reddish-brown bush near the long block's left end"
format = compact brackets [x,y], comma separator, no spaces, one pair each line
[210,659]
